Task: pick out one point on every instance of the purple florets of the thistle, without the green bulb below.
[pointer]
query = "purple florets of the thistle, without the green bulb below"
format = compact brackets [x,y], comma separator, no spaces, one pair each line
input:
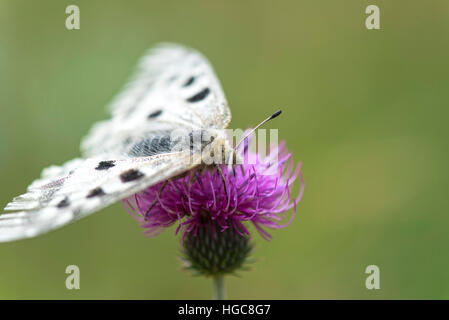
[203,198]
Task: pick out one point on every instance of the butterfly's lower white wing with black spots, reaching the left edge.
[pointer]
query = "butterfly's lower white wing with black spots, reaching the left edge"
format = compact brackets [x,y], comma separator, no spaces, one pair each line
[83,186]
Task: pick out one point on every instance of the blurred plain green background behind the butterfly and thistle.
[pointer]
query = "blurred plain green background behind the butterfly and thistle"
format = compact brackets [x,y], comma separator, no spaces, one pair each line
[364,110]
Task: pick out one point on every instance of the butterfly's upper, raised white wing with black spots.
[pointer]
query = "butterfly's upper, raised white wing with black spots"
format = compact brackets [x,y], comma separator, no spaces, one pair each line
[174,87]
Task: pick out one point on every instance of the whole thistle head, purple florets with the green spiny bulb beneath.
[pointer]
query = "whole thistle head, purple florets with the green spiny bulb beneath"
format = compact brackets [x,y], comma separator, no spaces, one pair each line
[212,208]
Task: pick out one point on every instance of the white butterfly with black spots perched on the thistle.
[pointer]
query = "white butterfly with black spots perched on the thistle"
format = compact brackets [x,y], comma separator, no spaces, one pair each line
[174,89]
